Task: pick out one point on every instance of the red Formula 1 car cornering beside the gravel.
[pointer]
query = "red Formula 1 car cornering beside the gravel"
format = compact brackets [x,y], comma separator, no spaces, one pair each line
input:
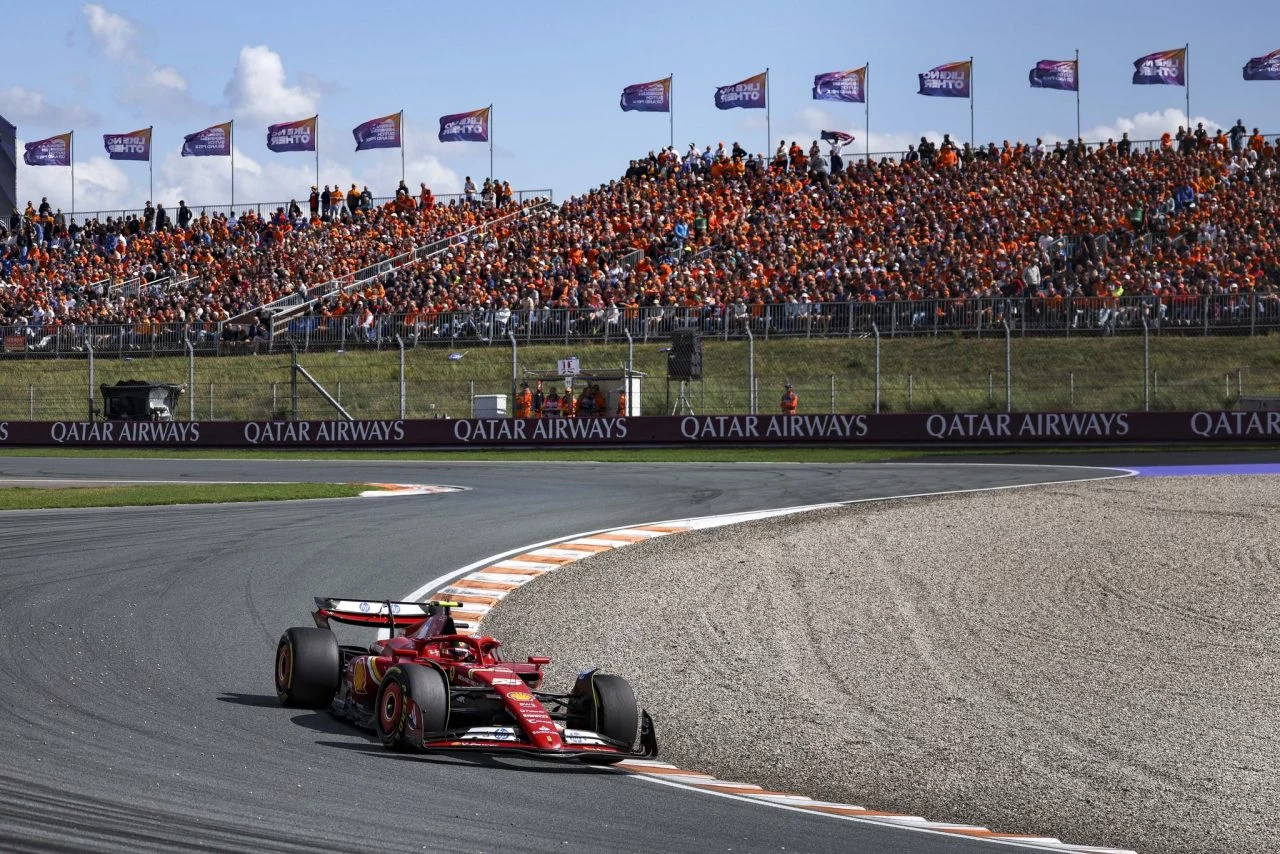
[431,688]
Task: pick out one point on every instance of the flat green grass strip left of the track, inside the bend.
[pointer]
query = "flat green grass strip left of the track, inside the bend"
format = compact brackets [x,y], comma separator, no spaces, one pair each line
[149,495]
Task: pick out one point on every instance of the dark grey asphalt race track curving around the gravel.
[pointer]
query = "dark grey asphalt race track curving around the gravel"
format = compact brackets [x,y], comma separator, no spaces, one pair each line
[138,710]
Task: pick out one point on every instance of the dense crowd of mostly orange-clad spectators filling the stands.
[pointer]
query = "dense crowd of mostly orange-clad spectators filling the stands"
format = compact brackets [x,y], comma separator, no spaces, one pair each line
[719,231]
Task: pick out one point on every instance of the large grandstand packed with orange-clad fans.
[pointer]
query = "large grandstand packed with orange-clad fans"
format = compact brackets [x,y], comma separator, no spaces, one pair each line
[1180,232]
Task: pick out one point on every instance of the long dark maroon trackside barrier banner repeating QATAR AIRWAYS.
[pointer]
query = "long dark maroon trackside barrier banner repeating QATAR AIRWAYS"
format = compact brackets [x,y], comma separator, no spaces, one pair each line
[1049,430]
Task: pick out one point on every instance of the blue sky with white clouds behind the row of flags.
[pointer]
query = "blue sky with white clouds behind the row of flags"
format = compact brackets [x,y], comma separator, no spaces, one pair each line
[554,72]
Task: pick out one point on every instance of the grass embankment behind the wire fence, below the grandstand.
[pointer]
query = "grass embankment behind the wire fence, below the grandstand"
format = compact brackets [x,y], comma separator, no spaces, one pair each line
[836,375]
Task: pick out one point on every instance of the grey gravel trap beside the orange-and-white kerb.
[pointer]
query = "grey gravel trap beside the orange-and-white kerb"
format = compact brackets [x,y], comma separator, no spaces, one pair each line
[1096,663]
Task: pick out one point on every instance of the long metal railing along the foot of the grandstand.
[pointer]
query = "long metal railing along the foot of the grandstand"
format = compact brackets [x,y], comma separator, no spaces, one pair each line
[1247,314]
